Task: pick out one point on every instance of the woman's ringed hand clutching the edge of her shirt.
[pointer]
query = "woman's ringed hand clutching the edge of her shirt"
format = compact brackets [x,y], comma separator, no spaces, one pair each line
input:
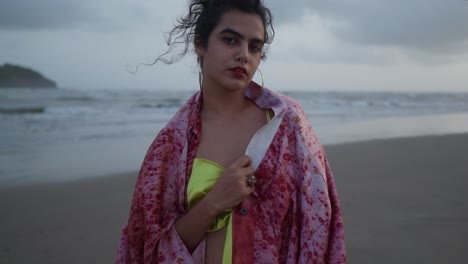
[231,187]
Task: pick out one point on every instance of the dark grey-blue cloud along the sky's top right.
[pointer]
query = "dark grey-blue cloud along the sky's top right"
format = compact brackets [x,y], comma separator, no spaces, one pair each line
[426,26]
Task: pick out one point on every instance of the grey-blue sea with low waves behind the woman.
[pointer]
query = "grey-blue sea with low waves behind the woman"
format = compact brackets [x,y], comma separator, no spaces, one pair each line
[56,135]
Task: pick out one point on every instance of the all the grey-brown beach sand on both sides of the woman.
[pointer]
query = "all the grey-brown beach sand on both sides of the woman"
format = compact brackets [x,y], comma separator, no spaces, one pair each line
[403,201]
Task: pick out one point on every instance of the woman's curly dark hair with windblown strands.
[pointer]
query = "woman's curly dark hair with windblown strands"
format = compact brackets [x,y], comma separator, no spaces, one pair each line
[203,16]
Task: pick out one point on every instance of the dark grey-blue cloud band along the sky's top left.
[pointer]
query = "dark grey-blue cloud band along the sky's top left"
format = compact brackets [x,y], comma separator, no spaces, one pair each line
[69,14]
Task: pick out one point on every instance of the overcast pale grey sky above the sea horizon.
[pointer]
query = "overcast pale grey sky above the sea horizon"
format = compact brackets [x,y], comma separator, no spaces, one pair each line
[393,45]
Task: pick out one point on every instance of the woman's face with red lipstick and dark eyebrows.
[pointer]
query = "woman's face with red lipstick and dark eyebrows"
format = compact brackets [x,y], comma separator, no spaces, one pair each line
[233,52]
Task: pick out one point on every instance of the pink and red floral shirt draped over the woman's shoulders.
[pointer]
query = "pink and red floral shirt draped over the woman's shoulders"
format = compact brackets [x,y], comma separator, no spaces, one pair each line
[292,217]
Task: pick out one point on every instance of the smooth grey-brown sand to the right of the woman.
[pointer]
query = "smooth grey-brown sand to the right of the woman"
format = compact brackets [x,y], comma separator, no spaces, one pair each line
[404,200]
